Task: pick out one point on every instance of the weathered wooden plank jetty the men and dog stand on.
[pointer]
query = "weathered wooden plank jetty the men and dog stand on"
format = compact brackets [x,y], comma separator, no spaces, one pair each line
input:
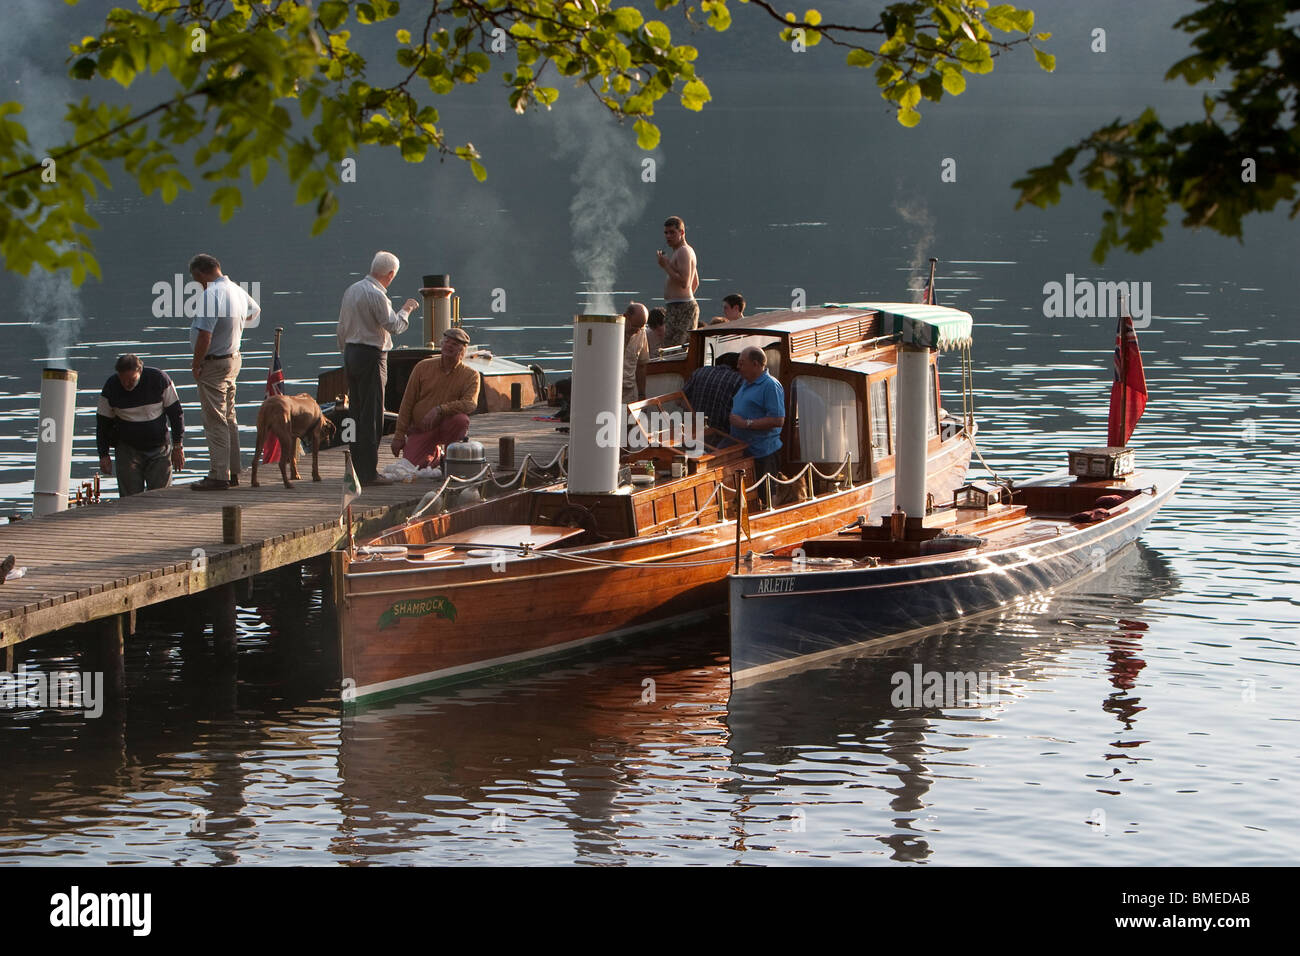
[115,557]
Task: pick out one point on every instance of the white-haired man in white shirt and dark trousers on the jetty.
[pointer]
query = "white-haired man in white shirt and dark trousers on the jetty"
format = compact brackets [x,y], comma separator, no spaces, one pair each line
[366,327]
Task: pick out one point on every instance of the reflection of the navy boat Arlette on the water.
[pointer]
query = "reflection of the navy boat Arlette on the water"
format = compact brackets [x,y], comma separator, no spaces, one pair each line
[872,716]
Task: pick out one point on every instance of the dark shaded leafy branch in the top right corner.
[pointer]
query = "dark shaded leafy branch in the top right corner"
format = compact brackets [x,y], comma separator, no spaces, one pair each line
[1242,158]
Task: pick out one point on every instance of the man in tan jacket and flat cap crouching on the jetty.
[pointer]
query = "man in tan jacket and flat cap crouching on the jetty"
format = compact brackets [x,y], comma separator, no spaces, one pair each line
[436,406]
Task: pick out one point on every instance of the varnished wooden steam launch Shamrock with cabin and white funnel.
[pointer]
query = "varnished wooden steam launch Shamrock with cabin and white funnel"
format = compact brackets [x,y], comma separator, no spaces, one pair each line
[545,572]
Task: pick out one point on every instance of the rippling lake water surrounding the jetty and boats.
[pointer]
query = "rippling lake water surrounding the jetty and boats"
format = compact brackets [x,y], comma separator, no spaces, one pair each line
[1146,719]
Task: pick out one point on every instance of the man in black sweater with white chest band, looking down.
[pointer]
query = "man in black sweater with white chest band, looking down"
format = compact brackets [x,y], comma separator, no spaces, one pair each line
[136,408]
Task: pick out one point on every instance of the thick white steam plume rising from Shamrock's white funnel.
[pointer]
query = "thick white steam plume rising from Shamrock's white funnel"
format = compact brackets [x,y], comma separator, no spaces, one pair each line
[610,196]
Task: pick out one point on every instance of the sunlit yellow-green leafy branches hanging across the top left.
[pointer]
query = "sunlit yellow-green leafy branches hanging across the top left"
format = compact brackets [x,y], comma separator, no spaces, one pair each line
[254,83]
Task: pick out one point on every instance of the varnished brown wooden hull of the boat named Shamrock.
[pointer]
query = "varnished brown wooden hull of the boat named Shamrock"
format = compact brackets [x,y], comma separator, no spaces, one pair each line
[406,630]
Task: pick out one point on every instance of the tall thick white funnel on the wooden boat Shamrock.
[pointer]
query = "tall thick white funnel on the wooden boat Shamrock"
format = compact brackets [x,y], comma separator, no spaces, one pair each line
[596,406]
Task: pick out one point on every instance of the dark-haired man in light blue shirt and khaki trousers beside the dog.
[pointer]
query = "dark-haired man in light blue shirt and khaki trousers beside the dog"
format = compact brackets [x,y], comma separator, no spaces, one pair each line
[215,336]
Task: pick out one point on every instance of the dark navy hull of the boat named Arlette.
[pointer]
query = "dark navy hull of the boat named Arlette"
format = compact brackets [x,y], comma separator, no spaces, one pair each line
[787,621]
